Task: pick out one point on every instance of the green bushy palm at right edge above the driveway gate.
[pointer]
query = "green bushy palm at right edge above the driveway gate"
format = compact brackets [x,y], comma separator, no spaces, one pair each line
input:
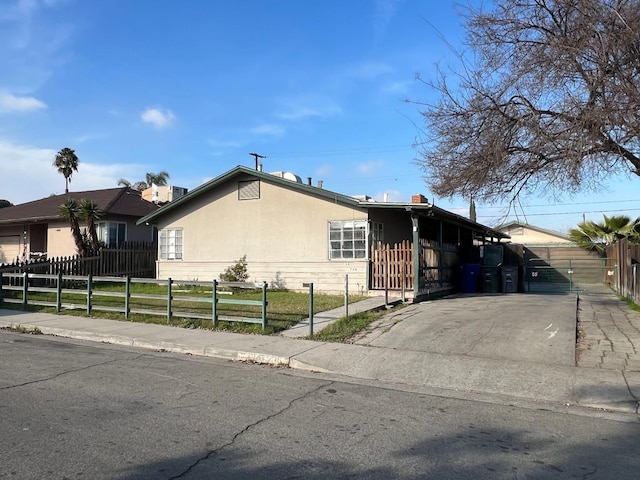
[597,236]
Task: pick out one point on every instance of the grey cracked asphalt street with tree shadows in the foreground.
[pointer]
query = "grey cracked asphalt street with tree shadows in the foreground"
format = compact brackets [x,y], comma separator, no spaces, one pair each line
[75,409]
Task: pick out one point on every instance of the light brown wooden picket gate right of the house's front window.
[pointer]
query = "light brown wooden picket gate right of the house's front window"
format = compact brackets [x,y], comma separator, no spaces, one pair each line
[392,266]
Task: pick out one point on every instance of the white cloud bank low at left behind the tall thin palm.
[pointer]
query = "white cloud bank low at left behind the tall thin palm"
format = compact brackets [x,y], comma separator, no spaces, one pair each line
[31,174]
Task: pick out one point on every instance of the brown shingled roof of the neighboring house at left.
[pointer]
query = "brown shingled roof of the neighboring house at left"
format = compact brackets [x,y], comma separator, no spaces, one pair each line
[111,201]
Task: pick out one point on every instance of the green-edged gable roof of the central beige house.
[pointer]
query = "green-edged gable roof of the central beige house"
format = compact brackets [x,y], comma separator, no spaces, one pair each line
[425,208]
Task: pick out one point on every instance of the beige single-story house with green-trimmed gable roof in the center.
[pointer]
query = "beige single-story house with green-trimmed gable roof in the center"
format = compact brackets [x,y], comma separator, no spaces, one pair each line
[293,233]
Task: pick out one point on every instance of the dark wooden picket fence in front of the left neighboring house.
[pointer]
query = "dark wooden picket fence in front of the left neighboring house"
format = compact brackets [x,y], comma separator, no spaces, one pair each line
[132,259]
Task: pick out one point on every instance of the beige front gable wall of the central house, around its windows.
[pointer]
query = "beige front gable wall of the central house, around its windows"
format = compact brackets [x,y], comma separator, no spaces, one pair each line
[284,235]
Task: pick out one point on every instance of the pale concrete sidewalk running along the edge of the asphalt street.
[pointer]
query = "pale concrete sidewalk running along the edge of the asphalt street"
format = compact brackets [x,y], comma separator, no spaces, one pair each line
[603,388]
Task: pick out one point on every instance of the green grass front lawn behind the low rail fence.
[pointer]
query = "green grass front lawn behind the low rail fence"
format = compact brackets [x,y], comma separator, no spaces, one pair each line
[284,309]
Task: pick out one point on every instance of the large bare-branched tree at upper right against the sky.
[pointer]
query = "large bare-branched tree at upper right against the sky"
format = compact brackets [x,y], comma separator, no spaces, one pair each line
[550,101]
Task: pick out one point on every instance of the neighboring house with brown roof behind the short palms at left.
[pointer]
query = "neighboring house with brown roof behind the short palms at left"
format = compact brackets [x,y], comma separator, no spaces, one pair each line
[36,229]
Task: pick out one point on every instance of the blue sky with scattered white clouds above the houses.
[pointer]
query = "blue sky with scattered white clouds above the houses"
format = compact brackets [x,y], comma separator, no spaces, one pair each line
[192,87]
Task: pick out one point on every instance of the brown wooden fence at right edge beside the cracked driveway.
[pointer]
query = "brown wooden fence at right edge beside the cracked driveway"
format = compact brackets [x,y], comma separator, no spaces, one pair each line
[626,256]
